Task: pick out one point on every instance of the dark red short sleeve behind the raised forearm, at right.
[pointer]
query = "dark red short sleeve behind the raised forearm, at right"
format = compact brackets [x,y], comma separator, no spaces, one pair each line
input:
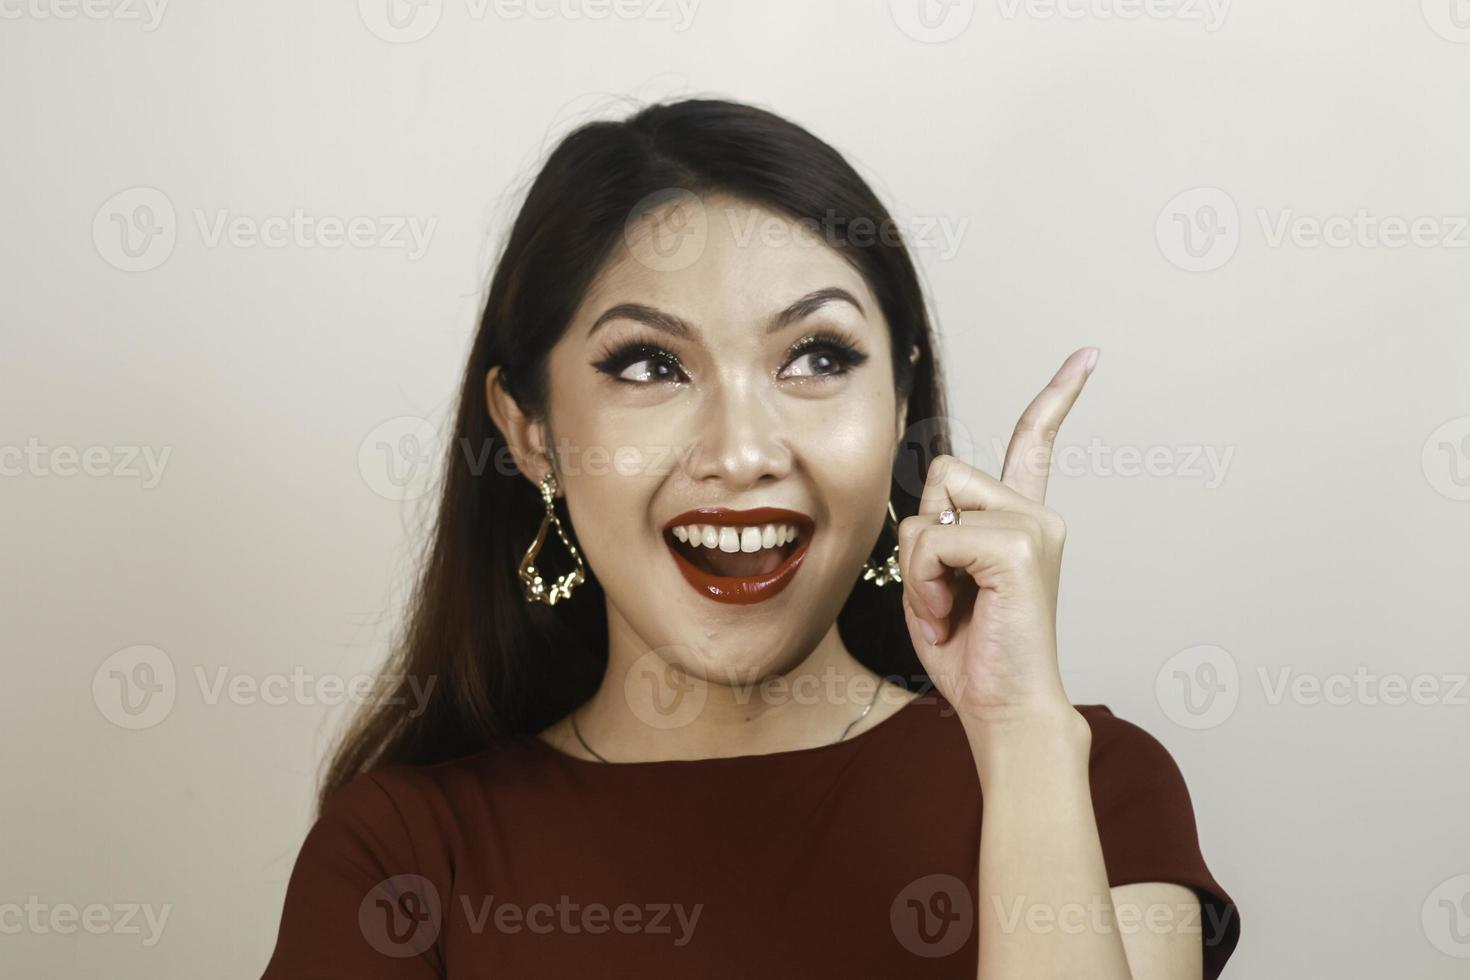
[1147,826]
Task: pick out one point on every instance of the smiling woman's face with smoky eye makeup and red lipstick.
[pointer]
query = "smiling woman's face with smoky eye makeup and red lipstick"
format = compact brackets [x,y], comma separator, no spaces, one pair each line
[690,380]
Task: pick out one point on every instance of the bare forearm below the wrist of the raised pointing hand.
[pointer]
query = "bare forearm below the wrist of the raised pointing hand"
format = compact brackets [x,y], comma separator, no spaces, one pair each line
[1044,907]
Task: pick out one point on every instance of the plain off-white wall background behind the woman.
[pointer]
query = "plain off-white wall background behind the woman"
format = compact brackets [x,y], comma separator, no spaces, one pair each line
[1256,211]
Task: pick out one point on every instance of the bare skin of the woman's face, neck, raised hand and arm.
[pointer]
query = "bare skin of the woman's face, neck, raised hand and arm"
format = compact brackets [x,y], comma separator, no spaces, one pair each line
[742,424]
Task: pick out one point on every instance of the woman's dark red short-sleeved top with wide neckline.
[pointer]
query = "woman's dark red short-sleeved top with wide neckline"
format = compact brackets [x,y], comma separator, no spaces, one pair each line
[849,860]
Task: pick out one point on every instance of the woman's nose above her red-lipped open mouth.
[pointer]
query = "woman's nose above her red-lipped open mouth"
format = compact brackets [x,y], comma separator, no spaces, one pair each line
[740,439]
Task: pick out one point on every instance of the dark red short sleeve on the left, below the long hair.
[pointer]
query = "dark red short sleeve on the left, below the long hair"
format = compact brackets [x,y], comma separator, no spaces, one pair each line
[361,904]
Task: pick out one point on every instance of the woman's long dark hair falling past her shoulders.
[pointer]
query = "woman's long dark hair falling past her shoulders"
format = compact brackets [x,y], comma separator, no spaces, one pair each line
[505,666]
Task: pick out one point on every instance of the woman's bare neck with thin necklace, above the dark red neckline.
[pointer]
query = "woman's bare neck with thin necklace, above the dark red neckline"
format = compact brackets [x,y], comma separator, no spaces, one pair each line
[649,709]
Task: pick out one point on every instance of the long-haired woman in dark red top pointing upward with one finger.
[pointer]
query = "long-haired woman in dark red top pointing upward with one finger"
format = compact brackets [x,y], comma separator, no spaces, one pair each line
[734,713]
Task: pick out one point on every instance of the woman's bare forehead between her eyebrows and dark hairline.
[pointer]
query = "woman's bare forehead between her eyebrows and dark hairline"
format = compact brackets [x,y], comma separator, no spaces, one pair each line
[721,262]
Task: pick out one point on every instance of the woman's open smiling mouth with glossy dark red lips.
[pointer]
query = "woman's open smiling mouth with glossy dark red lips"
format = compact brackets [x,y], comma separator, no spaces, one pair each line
[739,558]
